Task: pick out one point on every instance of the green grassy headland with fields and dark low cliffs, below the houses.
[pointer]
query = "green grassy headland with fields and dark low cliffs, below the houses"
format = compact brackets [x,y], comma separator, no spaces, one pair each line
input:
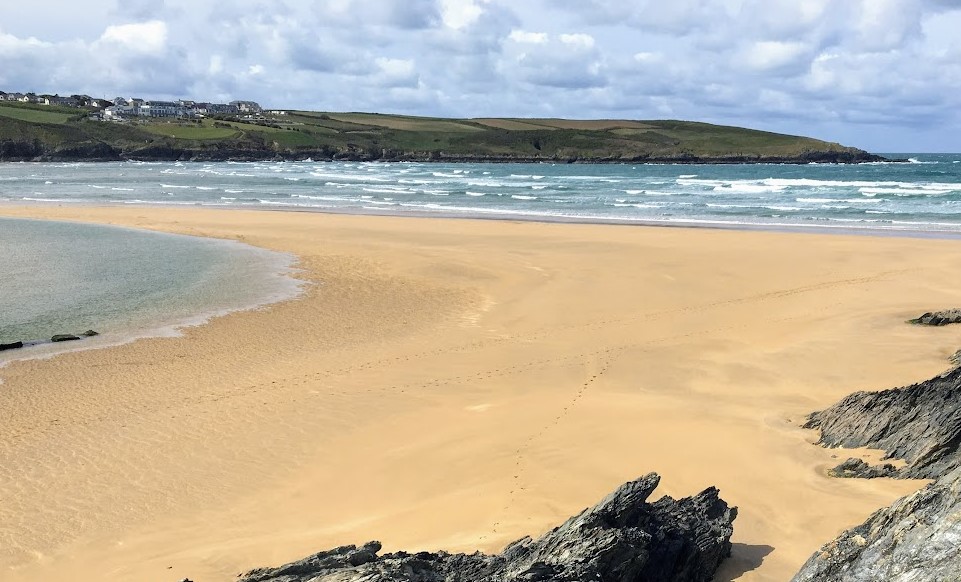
[40,132]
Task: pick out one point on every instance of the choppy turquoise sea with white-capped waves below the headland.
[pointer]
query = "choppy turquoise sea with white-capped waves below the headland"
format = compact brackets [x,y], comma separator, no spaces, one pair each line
[923,196]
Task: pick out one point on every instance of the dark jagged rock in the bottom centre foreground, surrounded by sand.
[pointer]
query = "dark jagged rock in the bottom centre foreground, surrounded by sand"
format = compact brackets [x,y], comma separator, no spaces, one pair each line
[623,538]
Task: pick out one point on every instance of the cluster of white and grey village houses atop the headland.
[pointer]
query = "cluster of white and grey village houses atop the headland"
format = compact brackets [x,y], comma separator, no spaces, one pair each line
[124,109]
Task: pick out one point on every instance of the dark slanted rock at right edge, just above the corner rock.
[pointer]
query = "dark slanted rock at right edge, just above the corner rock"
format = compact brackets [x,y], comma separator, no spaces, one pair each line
[920,424]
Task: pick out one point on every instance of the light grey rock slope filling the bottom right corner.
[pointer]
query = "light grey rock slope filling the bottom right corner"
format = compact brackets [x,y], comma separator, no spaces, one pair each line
[915,539]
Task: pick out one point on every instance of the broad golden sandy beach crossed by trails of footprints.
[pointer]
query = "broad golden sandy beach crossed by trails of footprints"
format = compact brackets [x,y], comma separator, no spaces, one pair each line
[455,384]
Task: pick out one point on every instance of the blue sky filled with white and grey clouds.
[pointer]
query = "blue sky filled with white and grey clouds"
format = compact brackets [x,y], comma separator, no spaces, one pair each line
[884,75]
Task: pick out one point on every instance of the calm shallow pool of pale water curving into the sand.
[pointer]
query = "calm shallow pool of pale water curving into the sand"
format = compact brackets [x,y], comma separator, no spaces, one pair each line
[61,277]
